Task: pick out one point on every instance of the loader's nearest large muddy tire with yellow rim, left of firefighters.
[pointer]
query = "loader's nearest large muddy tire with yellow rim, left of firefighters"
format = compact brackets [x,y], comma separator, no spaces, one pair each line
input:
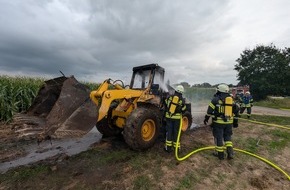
[142,128]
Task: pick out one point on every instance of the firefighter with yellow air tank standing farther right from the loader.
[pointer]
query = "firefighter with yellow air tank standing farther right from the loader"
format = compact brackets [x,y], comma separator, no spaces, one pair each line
[224,113]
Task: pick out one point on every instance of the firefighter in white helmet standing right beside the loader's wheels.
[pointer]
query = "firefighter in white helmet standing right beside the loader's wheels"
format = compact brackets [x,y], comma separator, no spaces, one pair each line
[175,105]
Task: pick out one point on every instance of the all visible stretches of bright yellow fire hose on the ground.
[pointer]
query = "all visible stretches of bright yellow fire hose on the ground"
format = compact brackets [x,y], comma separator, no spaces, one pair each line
[239,150]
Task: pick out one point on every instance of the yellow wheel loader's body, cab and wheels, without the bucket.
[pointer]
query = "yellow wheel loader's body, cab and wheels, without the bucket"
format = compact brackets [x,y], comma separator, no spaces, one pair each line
[136,110]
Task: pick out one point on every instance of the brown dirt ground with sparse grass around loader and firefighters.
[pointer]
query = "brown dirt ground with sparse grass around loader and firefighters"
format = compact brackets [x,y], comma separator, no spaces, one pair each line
[200,171]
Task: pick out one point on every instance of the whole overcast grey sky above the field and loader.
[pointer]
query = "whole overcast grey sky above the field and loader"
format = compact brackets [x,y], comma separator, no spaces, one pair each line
[195,41]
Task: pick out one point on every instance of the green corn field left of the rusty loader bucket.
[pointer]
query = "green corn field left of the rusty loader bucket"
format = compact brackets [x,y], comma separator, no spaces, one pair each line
[17,94]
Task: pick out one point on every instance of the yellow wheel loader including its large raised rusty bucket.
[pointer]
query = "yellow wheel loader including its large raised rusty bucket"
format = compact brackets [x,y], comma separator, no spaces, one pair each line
[66,108]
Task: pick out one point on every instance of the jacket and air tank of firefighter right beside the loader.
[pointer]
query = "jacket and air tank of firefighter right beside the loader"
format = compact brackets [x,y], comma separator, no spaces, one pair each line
[175,106]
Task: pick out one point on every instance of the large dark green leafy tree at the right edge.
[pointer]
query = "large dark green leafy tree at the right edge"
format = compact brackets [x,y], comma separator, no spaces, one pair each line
[266,69]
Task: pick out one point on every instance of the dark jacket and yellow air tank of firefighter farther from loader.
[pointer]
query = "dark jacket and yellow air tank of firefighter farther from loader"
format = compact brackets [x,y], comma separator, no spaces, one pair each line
[218,107]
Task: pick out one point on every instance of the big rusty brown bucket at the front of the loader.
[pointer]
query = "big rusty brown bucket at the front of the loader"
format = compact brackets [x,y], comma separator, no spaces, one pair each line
[61,109]
